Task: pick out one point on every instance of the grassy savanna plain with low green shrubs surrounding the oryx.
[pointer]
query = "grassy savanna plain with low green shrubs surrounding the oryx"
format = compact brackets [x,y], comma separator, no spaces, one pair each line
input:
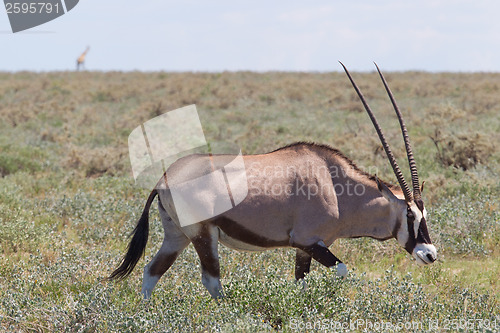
[68,202]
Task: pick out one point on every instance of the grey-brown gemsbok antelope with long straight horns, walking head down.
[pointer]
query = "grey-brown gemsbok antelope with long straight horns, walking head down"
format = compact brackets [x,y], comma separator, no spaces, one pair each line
[303,196]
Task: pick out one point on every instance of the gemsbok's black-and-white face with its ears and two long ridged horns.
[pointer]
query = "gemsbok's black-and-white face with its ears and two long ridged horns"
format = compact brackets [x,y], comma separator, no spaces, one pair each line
[411,226]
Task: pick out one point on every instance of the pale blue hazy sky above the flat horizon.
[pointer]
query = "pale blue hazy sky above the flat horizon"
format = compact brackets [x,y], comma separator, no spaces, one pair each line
[215,35]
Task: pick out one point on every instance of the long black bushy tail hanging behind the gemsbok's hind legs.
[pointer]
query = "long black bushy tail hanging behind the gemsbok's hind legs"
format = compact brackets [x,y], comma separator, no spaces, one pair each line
[137,244]
